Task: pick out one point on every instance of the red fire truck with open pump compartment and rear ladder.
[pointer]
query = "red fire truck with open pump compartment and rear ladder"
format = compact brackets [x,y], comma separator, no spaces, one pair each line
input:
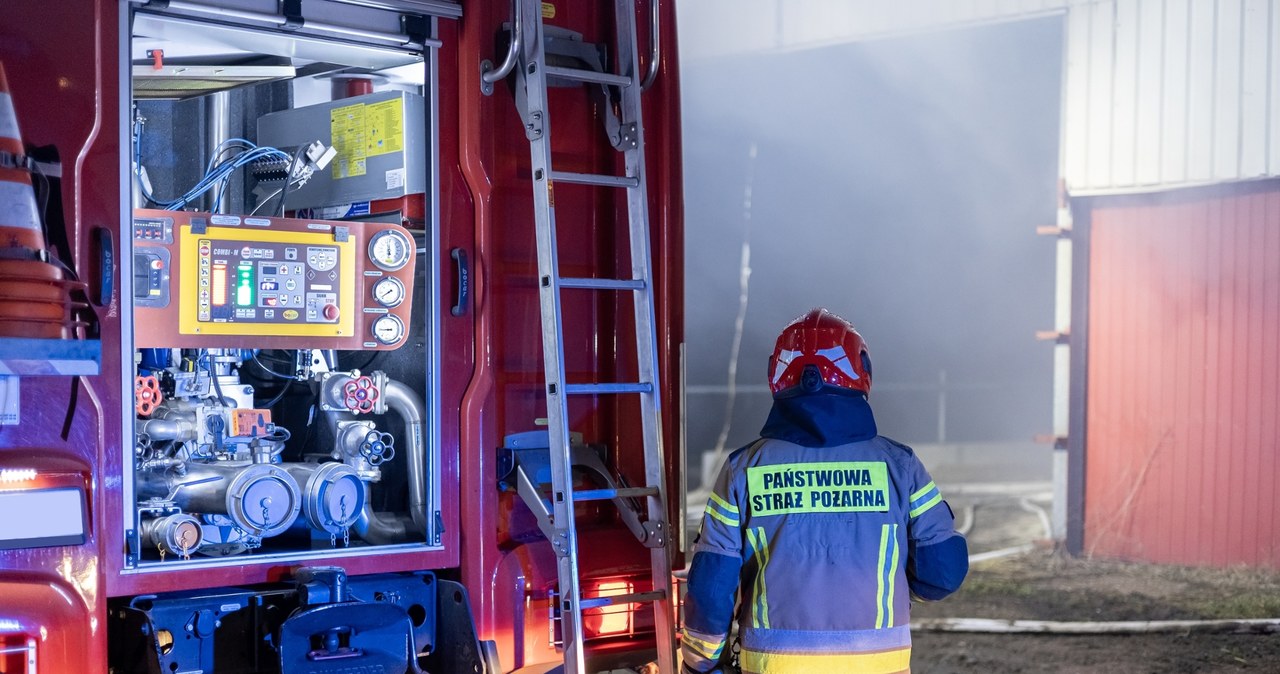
[348,338]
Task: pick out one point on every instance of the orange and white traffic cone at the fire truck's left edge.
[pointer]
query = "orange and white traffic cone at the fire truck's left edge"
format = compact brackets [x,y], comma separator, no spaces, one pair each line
[35,299]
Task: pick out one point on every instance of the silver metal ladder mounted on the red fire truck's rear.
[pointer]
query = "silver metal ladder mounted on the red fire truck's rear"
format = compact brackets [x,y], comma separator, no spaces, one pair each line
[627,134]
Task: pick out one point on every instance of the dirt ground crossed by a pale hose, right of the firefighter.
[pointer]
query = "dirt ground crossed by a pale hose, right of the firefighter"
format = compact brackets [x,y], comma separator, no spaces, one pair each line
[1045,586]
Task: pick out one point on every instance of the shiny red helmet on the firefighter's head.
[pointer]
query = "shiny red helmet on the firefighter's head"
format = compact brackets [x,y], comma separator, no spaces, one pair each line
[830,345]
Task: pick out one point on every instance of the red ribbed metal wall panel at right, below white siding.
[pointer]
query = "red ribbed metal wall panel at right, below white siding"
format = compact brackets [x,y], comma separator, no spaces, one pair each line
[1185,377]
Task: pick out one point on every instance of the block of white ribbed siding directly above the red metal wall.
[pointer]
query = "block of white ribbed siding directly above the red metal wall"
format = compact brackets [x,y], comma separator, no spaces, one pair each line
[1178,93]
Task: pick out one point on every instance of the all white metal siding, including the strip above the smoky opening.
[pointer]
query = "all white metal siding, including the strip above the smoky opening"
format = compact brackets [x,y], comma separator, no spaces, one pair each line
[1159,93]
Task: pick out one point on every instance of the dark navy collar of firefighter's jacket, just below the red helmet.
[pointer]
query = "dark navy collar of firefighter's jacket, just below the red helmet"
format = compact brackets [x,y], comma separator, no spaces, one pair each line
[821,420]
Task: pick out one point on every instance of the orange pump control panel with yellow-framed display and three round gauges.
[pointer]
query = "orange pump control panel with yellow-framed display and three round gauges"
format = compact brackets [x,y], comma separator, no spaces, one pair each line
[205,281]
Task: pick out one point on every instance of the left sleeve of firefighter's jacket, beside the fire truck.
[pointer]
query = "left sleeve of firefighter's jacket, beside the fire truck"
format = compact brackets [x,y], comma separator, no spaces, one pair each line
[714,576]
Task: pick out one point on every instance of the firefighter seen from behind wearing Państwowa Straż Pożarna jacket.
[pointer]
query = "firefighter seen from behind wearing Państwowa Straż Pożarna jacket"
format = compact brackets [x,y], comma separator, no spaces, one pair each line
[822,530]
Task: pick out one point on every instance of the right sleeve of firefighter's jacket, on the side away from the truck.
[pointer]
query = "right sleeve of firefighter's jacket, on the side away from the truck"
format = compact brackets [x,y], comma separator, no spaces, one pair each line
[938,556]
